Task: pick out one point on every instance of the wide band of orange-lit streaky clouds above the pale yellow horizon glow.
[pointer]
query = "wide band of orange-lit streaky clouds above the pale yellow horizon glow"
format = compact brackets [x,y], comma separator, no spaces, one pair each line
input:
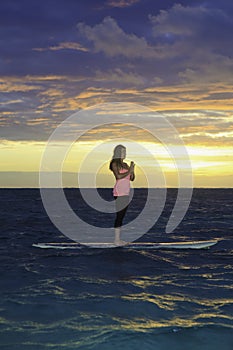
[196,111]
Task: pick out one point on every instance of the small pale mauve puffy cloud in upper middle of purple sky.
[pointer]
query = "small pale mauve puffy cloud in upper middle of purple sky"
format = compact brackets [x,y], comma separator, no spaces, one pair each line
[109,38]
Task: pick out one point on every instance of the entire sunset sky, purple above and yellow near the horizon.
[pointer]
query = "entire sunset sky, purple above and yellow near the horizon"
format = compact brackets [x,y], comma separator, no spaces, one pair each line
[172,57]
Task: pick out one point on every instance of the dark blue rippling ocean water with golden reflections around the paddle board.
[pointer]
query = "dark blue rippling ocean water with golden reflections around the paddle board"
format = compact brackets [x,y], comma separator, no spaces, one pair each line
[116,298]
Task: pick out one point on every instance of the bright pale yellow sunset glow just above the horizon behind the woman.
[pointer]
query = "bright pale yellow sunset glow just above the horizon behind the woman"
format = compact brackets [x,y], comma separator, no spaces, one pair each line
[207,162]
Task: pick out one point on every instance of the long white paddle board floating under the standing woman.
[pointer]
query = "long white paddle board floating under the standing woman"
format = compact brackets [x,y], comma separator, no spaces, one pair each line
[133,245]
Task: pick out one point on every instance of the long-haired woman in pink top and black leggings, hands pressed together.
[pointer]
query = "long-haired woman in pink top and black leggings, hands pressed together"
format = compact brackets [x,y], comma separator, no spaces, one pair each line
[123,174]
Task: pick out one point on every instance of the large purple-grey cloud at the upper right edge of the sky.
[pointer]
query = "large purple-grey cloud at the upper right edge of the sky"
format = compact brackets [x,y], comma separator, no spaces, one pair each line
[200,37]
